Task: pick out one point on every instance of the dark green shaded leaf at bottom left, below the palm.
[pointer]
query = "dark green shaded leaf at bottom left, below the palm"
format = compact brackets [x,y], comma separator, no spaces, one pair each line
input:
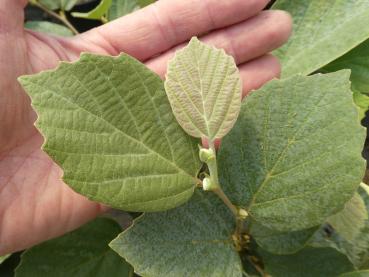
[84,252]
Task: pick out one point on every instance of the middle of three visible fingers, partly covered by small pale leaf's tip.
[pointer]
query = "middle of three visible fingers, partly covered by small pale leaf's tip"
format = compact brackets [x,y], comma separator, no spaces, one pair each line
[244,41]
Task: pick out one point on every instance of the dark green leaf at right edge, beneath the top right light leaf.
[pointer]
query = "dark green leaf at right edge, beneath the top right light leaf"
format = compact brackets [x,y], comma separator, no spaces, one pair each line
[358,61]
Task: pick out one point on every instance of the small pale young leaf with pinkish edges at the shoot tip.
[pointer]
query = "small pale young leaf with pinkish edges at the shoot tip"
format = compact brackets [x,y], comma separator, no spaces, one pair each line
[204,89]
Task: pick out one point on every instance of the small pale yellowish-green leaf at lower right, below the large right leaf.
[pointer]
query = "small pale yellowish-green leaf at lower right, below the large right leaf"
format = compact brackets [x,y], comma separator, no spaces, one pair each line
[351,219]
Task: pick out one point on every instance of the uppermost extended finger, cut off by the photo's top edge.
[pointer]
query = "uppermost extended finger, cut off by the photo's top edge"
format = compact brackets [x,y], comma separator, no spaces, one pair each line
[165,24]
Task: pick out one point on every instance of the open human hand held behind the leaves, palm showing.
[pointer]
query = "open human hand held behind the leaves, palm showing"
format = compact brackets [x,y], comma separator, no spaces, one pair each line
[35,204]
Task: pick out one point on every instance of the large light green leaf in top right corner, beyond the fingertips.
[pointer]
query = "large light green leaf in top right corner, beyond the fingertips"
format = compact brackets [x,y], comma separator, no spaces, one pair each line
[323,31]
